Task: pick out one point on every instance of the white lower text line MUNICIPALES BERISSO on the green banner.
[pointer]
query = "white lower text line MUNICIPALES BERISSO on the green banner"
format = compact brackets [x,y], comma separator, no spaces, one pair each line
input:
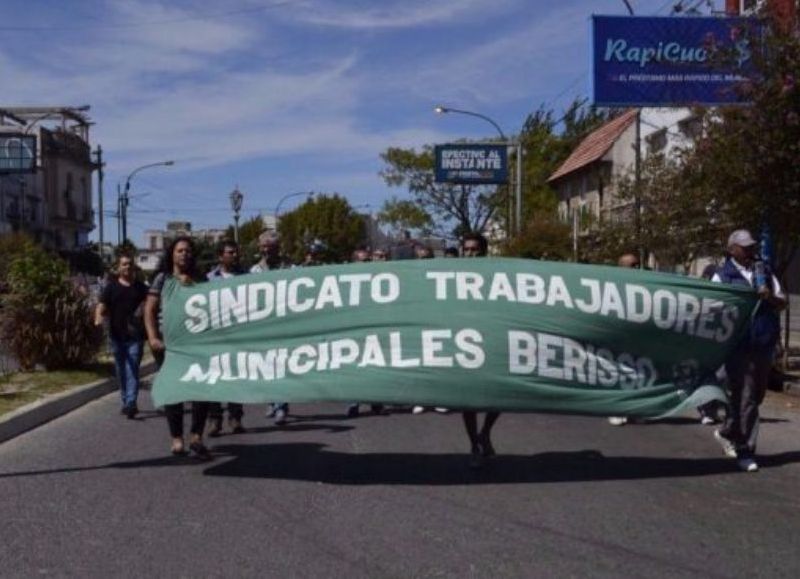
[546,355]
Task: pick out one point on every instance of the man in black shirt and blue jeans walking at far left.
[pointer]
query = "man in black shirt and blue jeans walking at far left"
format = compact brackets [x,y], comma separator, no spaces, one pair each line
[122,302]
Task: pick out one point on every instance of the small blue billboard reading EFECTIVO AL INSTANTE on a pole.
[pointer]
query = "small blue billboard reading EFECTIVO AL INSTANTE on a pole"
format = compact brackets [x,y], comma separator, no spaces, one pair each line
[471,164]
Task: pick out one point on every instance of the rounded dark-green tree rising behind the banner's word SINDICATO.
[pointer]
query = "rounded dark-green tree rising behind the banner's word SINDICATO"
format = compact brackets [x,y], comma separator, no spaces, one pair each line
[328,219]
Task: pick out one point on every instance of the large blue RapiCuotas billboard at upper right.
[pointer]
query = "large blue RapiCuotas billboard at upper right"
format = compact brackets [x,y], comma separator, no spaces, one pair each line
[669,61]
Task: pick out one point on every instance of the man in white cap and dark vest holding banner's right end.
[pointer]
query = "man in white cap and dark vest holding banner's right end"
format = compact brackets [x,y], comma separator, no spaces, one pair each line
[749,365]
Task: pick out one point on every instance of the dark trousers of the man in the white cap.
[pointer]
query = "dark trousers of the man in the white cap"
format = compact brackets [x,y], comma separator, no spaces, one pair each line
[748,375]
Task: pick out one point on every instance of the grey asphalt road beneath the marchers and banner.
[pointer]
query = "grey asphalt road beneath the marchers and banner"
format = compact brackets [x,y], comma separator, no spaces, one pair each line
[95,495]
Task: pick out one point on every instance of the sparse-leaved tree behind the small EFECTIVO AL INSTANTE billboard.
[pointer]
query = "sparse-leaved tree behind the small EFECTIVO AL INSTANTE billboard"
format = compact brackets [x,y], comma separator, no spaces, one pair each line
[454,208]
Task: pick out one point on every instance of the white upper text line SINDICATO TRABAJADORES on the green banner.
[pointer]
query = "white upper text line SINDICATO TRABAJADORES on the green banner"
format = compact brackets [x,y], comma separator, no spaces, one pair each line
[679,312]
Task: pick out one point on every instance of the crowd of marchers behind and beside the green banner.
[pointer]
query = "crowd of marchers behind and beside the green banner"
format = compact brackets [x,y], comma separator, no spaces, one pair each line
[133,312]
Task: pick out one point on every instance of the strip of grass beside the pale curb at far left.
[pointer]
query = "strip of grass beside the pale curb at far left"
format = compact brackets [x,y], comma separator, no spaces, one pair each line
[20,388]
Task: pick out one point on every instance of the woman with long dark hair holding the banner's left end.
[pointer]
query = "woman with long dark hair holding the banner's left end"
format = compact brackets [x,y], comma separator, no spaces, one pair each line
[177,266]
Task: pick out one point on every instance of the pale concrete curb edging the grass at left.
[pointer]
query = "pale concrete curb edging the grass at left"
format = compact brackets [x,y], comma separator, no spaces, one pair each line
[46,409]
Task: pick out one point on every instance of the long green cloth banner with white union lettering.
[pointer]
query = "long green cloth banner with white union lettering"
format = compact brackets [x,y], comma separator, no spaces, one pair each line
[504,334]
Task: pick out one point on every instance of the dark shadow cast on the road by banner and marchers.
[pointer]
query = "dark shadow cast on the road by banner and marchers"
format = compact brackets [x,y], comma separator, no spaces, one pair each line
[311,462]
